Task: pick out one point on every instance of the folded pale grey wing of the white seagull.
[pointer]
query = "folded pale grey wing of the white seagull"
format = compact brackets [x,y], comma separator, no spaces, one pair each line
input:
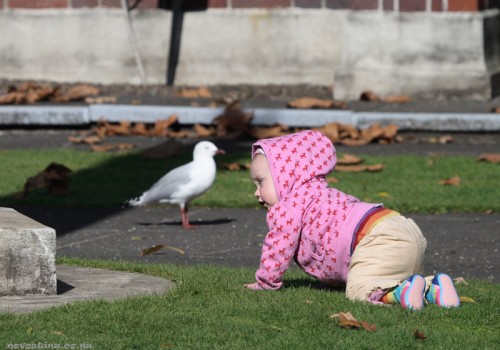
[164,188]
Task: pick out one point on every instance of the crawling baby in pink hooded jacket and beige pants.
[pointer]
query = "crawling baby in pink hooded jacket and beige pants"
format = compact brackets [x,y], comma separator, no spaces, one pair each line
[377,253]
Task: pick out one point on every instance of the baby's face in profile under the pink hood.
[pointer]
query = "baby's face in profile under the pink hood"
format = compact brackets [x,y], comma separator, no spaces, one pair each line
[263,181]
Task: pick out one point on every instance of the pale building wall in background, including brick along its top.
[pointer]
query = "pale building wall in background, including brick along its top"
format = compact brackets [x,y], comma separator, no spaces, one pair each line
[427,49]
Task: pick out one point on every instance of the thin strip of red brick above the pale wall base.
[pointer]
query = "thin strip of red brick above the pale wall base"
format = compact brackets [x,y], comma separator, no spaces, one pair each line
[387,5]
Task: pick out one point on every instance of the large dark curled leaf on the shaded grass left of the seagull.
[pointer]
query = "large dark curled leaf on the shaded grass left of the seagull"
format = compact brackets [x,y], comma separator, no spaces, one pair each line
[55,177]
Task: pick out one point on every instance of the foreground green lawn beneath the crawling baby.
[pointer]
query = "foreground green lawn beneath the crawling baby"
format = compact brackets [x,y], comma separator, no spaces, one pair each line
[210,309]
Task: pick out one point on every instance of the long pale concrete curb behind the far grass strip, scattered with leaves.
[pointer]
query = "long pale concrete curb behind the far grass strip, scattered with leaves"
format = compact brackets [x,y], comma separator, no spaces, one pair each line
[82,115]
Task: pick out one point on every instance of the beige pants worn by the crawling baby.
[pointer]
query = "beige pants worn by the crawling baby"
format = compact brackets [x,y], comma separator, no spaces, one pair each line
[393,250]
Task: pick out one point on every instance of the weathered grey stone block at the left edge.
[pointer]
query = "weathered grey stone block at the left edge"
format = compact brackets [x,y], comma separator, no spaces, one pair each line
[27,255]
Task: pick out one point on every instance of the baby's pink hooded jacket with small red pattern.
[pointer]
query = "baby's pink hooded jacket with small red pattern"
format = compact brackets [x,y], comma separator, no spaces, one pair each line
[312,223]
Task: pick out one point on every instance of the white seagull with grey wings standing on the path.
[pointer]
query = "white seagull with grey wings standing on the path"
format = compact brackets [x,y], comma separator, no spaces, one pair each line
[183,184]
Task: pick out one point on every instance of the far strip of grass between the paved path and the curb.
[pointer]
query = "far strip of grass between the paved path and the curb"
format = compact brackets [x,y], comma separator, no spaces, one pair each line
[407,183]
